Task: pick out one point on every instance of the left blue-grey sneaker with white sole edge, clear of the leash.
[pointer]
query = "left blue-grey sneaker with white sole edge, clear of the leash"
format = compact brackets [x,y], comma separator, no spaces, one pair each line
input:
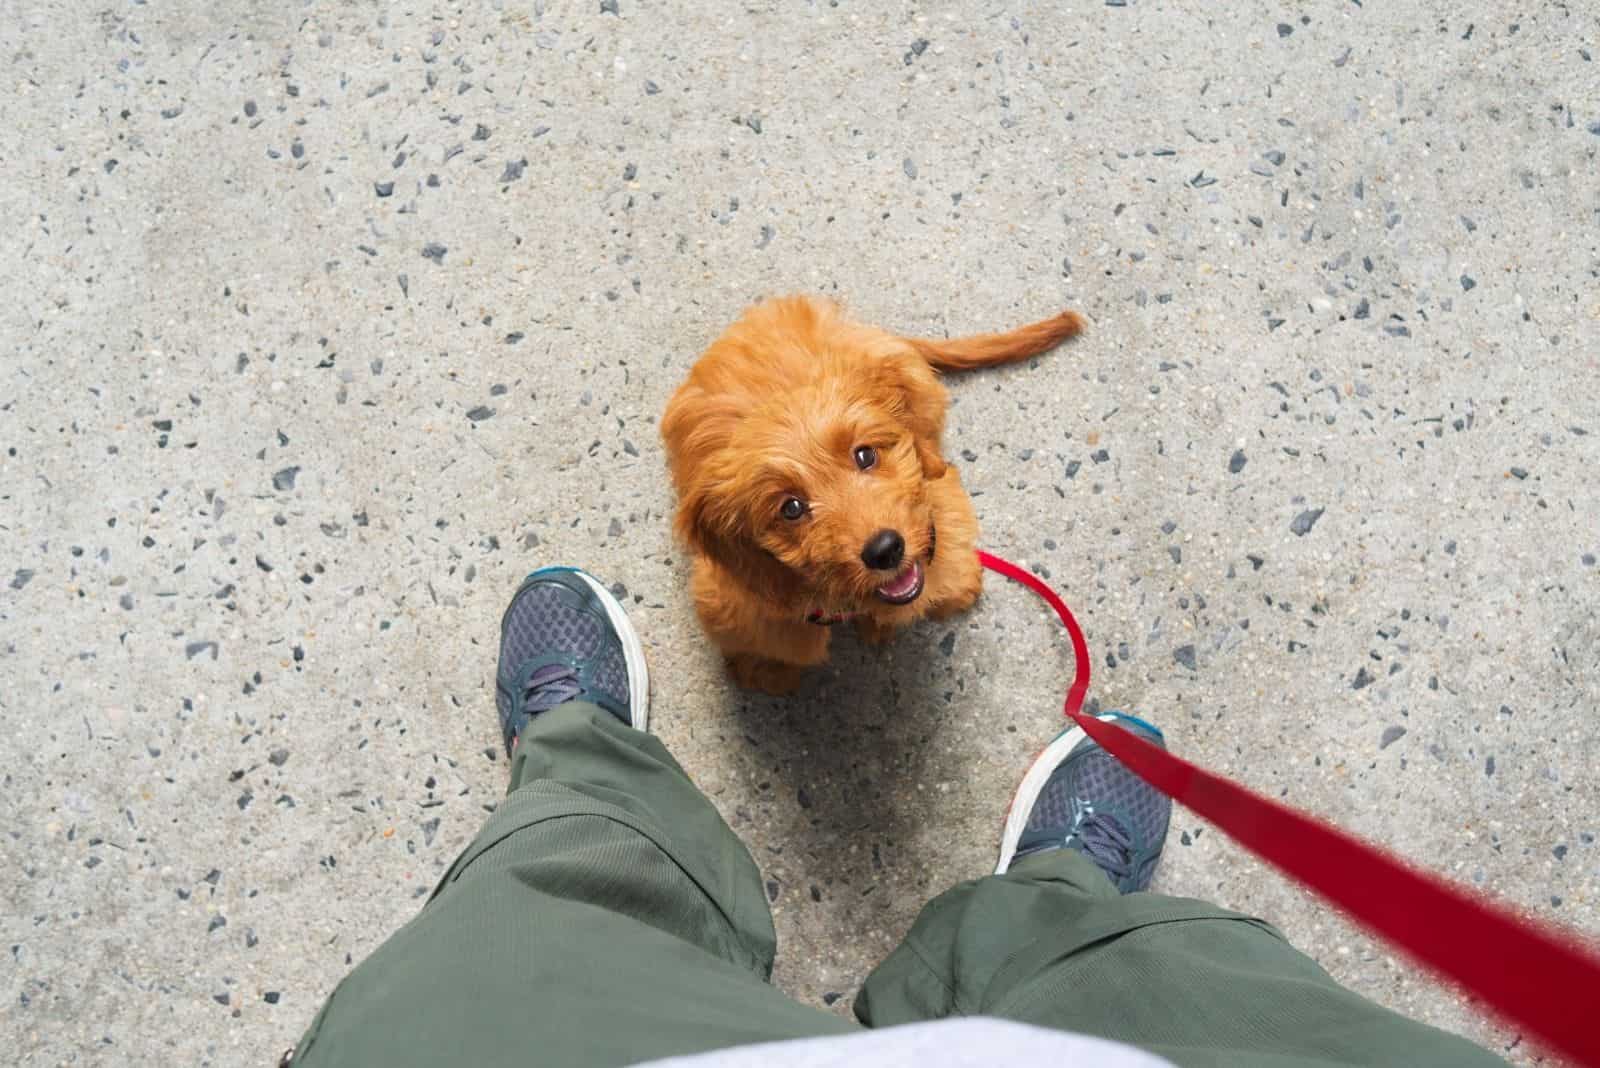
[566,639]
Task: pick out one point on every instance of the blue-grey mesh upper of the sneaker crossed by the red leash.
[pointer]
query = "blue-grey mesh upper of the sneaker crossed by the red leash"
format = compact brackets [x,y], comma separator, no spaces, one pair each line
[1100,808]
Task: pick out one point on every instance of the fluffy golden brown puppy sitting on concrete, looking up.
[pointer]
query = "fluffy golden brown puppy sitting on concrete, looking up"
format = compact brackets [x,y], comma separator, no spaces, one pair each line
[812,485]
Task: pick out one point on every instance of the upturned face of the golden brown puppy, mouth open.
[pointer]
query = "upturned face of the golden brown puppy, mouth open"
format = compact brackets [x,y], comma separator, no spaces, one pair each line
[820,500]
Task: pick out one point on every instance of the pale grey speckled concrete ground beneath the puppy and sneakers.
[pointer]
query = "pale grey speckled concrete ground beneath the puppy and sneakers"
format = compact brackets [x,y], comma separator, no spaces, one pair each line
[329,322]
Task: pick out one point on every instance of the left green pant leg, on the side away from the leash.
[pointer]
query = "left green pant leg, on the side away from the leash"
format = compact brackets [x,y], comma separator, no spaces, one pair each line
[604,915]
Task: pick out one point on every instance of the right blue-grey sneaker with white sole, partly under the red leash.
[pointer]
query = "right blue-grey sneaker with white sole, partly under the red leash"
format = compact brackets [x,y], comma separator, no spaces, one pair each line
[1081,797]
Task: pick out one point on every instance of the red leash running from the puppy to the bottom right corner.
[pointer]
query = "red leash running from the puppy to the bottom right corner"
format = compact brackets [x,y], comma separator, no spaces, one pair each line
[1537,978]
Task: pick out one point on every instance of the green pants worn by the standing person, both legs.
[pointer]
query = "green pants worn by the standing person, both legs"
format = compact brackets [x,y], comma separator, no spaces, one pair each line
[607,915]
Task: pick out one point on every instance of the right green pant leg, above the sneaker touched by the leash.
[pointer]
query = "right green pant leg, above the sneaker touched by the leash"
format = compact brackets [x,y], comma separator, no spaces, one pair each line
[1055,946]
